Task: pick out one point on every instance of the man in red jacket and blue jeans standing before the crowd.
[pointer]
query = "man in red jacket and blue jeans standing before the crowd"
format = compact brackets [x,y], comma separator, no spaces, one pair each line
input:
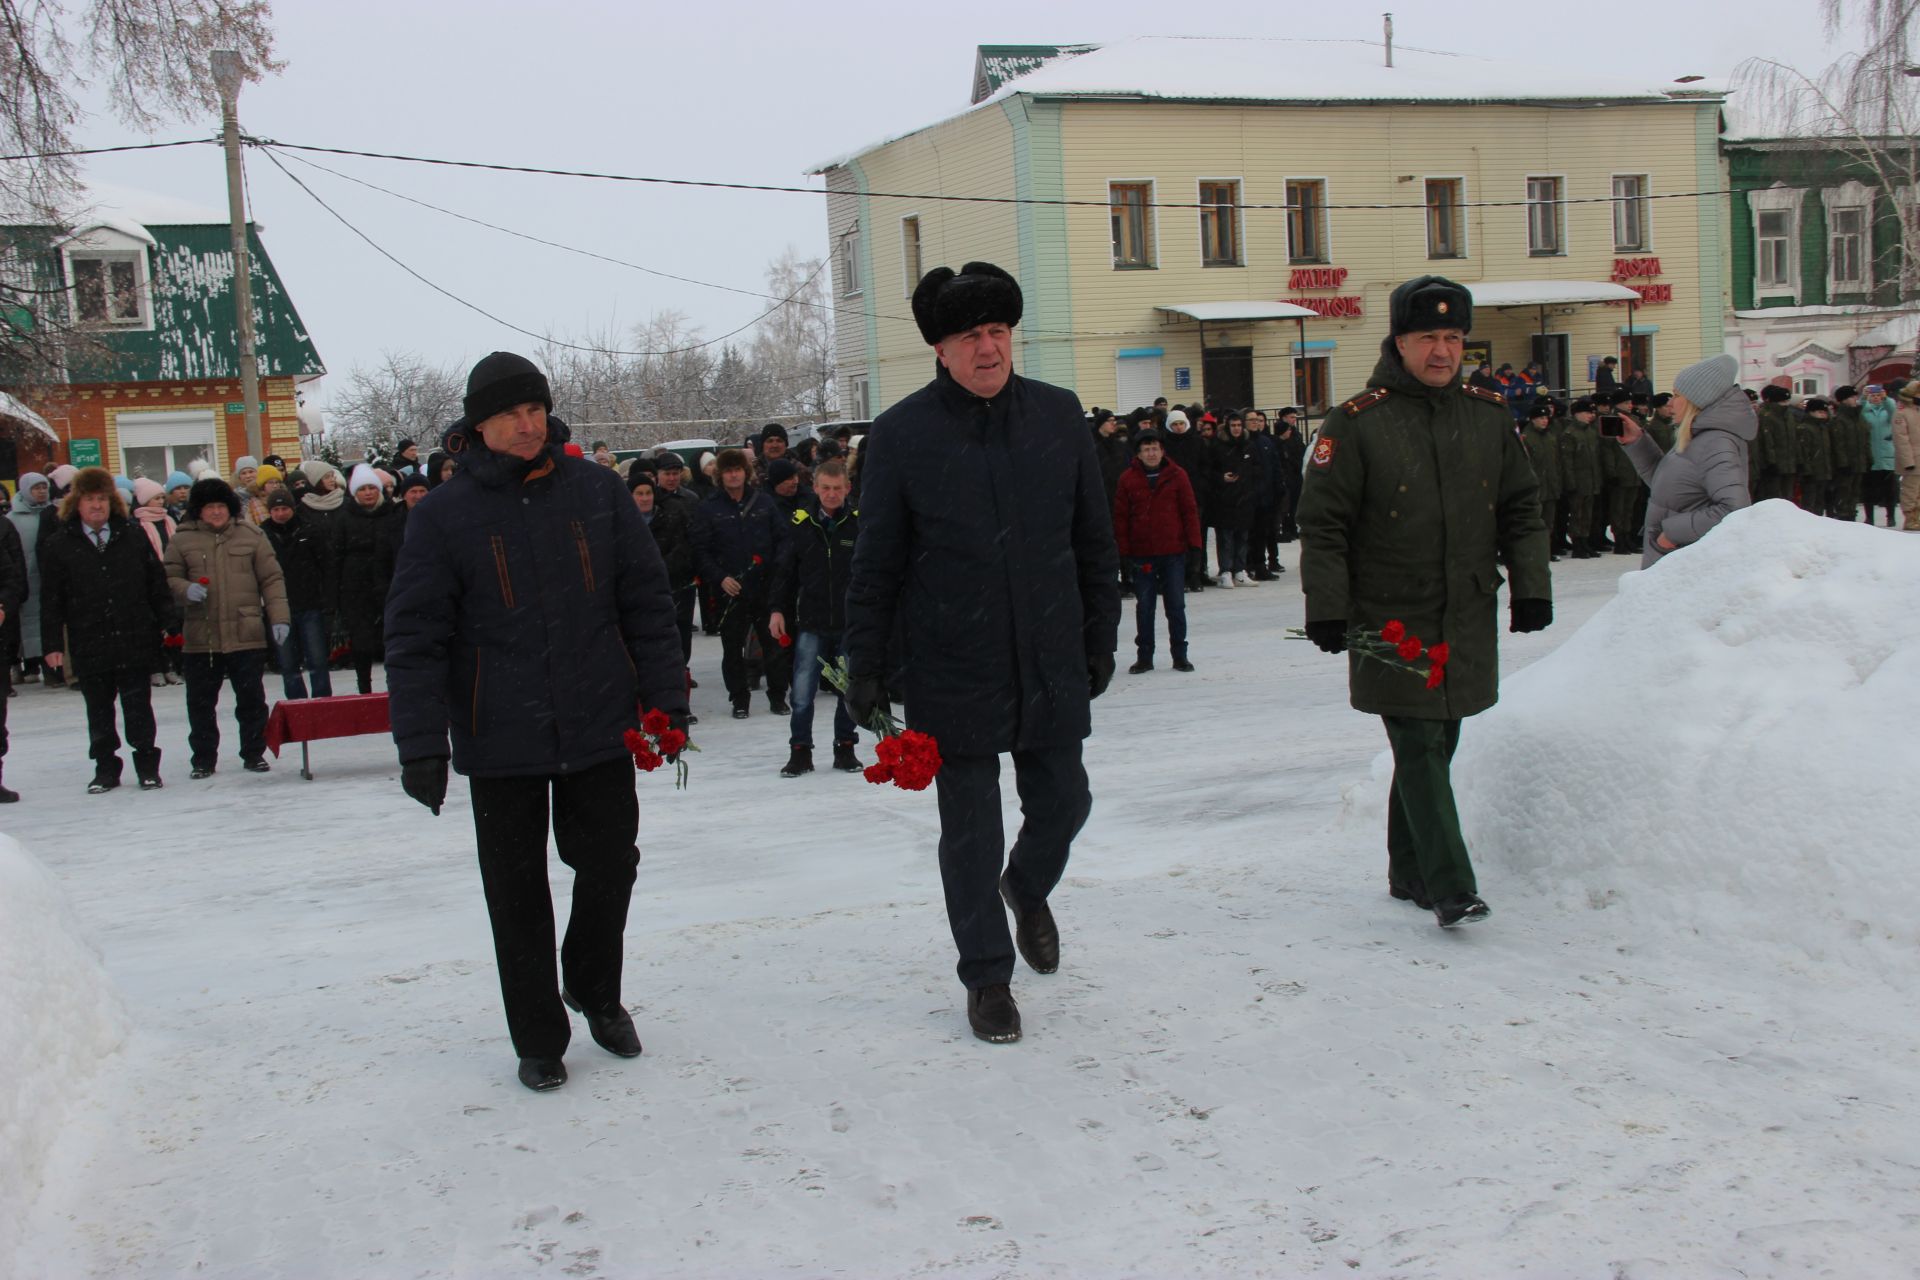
[1157,523]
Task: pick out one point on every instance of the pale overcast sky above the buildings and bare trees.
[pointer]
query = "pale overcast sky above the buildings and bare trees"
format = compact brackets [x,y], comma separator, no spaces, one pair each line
[744,93]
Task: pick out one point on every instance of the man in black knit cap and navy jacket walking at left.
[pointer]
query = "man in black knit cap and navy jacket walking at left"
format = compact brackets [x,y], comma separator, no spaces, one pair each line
[531,617]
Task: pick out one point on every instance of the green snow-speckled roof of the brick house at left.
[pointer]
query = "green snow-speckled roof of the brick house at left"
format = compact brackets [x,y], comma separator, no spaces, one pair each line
[195,329]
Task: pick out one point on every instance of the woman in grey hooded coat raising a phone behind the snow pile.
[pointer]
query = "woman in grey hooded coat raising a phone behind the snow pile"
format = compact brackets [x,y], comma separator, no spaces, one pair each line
[1706,477]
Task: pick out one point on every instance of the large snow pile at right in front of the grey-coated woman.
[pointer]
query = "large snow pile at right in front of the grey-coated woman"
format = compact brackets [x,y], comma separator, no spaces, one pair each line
[1727,747]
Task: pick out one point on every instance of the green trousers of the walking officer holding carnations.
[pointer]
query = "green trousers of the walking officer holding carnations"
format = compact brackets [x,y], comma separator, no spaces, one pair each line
[1424,841]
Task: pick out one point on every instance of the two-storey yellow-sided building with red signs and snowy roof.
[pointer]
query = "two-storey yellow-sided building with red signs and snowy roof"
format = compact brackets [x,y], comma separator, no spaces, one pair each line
[1126,183]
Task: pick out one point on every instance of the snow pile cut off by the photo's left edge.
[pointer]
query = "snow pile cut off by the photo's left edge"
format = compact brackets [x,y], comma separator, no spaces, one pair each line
[59,1018]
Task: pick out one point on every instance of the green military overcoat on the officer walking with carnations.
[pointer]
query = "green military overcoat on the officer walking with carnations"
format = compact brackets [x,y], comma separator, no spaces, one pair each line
[1414,498]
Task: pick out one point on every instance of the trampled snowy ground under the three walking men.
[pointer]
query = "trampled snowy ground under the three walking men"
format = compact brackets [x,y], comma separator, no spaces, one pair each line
[1253,1060]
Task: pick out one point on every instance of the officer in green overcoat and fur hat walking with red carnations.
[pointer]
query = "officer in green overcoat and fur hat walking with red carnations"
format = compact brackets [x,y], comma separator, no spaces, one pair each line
[1416,492]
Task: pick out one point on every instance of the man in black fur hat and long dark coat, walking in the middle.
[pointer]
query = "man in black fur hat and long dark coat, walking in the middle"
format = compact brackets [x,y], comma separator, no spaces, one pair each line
[984,527]
